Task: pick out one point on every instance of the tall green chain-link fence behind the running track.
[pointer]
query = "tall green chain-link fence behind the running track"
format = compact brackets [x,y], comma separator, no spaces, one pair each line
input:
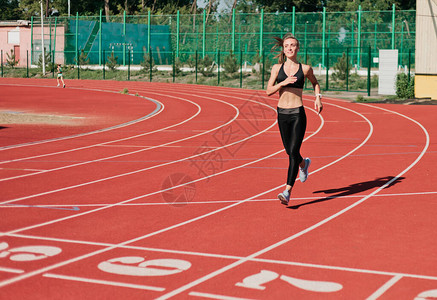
[228,49]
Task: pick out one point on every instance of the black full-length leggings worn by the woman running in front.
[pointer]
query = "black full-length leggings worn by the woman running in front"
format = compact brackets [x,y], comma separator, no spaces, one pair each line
[292,125]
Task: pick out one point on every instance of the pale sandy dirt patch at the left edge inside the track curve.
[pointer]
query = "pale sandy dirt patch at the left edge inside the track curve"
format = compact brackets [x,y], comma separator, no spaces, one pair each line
[18,117]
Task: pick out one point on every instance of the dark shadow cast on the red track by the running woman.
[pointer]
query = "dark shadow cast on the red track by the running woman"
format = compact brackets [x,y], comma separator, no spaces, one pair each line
[352,189]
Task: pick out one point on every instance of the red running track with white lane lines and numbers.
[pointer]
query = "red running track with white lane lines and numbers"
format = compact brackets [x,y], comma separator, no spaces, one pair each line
[170,193]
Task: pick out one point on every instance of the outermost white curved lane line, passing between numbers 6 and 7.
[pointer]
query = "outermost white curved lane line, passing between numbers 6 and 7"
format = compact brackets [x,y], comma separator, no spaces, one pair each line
[309,229]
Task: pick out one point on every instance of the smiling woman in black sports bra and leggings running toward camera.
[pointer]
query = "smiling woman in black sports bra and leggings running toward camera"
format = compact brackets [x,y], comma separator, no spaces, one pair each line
[288,77]
